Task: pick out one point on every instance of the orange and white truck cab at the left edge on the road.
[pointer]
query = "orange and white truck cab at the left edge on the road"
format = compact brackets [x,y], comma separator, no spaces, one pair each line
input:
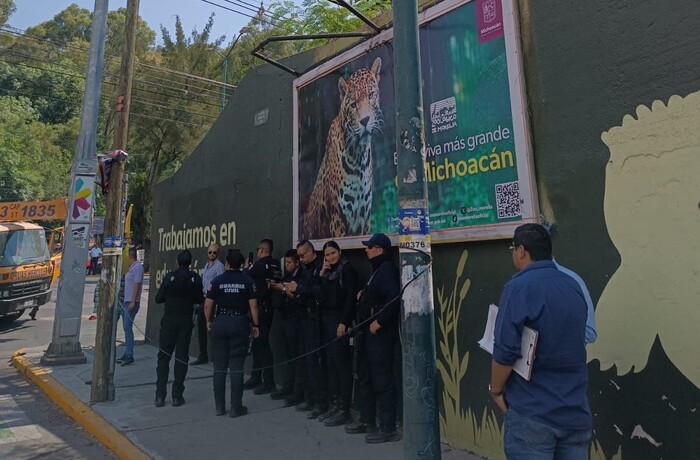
[25,268]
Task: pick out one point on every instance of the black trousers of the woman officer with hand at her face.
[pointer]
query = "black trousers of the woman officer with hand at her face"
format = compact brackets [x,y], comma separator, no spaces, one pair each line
[338,361]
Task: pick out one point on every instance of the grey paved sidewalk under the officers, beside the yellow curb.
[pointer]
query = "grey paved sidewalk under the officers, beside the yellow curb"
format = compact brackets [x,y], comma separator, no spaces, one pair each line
[269,431]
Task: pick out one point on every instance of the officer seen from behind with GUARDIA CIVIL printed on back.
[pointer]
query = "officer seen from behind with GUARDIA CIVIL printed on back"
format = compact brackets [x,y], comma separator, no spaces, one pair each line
[233,294]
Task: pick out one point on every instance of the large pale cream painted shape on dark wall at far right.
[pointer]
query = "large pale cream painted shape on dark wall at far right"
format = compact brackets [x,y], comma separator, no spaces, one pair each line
[652,195]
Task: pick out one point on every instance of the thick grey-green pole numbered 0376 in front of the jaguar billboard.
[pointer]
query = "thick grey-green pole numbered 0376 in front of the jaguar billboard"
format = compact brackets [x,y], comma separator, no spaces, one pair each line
[421,425]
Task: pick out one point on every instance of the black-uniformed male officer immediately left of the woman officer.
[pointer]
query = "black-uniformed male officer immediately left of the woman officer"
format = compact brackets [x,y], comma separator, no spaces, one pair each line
[306,289]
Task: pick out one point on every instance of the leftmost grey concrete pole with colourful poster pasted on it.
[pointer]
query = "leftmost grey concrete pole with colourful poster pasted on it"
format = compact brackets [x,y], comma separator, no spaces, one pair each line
[65,345]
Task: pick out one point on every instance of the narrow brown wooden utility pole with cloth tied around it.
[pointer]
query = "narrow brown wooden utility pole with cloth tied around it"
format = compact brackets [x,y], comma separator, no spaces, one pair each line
[111,269]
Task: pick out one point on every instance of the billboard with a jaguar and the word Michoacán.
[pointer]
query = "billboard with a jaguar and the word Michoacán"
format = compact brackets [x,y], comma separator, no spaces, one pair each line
[477,155]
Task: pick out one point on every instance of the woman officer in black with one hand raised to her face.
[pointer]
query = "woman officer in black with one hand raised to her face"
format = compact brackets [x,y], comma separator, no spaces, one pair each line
[337,296]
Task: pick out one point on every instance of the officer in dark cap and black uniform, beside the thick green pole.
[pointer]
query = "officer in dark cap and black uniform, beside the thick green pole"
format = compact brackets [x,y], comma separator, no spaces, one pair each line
[381,297]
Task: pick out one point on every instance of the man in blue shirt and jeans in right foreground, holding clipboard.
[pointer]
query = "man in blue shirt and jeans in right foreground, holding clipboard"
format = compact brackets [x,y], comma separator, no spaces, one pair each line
[548,416]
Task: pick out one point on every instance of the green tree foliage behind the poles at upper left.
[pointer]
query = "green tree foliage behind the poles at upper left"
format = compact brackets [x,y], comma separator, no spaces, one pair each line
[175,98]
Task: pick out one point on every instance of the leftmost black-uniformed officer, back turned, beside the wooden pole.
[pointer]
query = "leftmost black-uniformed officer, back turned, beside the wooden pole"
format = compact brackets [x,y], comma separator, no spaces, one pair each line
[180,290]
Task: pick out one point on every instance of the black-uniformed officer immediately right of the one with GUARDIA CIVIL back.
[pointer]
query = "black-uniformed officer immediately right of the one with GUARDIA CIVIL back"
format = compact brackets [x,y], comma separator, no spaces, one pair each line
[262,271]
